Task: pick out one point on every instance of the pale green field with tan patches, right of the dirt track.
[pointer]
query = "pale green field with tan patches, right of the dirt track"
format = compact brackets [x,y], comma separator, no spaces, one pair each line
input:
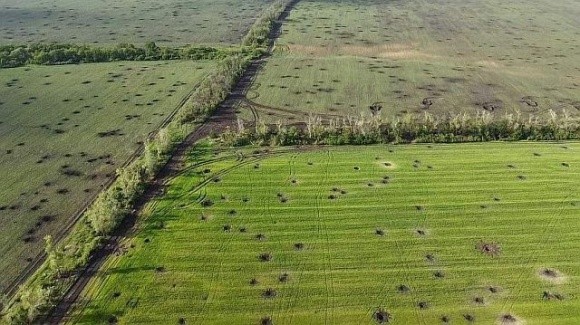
[441,57]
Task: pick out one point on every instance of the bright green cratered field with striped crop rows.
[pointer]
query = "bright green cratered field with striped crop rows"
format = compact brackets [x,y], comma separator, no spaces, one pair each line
[411,234]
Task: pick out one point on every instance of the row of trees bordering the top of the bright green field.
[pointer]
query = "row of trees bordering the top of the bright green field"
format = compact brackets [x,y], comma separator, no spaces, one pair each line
[412,128]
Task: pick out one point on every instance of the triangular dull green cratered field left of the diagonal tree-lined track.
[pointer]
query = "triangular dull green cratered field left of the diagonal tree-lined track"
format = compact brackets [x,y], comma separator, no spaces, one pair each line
[64,130]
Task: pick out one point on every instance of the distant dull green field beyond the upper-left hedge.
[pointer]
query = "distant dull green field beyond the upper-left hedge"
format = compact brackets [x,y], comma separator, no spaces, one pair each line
[109,22]
